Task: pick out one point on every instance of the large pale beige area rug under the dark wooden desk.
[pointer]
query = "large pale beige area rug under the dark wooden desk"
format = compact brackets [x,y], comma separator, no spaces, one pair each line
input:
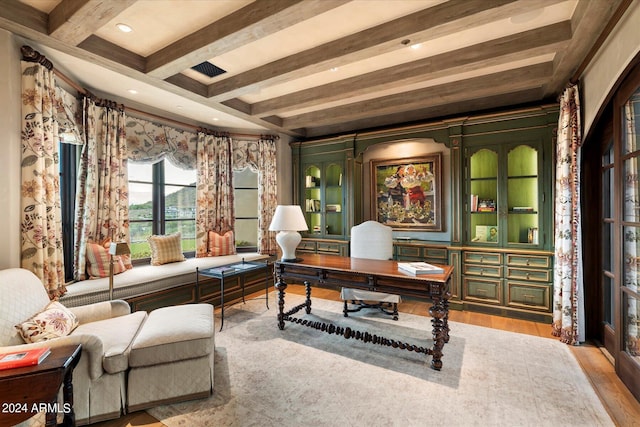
[304,377]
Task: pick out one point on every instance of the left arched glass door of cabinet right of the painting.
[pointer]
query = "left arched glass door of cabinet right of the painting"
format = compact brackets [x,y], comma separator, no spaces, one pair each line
[483,193]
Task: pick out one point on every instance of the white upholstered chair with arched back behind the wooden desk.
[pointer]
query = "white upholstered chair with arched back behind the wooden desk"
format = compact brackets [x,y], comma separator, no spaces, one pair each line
[370,240]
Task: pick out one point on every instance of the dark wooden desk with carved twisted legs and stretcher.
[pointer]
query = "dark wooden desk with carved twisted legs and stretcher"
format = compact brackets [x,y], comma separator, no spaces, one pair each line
[372,275]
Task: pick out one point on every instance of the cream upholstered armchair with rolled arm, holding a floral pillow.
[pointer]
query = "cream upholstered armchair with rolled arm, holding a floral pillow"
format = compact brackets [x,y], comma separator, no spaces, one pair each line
[105,330]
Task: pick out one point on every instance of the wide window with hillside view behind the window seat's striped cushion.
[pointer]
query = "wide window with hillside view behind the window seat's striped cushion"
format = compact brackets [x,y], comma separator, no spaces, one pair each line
[162,200]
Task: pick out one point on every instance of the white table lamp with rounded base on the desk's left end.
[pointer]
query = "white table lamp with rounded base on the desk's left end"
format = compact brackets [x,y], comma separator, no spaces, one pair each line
[288,220]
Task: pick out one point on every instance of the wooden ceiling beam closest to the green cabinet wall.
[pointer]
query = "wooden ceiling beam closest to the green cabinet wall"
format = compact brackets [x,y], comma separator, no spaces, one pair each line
[476,87]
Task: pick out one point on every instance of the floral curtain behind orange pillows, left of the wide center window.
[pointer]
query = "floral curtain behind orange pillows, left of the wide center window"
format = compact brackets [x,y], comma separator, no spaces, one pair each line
[102,208]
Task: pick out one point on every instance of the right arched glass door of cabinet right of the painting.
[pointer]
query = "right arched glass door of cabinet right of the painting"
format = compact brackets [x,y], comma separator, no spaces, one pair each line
[522,195]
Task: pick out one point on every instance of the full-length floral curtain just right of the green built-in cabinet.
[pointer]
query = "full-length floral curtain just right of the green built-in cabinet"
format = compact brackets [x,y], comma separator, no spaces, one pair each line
[568,295]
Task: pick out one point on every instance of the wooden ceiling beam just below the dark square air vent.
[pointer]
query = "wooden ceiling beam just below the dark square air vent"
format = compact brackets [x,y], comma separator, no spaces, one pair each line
[443,19]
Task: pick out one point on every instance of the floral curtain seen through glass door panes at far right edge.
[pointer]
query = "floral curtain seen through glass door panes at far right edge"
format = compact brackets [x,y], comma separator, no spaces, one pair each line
[631,242]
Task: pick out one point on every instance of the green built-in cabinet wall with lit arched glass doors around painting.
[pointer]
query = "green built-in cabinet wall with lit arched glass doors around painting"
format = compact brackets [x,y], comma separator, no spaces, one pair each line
[498,206]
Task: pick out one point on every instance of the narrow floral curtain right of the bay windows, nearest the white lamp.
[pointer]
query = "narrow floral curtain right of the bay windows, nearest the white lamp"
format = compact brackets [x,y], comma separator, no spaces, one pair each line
[267,191]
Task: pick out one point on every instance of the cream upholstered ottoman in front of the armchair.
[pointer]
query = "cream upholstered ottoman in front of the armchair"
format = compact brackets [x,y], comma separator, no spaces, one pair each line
[171,359]
